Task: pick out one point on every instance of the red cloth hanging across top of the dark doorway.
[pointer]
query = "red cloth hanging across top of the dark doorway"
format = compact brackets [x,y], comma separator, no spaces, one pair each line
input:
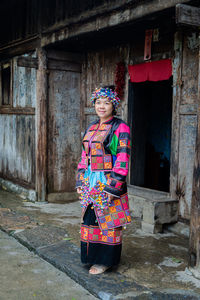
[151,71]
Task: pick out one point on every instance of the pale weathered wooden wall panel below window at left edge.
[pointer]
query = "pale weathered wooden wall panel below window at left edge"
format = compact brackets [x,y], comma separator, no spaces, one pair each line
[17,148]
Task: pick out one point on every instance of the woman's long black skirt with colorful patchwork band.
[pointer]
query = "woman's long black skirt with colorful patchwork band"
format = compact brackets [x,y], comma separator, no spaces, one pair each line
[95,246]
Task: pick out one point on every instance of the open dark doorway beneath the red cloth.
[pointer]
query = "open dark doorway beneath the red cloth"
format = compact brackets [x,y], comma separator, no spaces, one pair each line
[150,116]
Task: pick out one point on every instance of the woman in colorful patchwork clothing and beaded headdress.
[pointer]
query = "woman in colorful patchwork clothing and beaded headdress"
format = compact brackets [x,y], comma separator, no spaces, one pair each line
[101,184]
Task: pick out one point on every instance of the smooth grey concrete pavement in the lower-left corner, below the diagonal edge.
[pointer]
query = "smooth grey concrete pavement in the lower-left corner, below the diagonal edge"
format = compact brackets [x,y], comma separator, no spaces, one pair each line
[25,275]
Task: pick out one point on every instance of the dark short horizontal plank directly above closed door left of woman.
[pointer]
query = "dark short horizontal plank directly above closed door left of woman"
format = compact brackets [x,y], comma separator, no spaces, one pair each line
[64,66]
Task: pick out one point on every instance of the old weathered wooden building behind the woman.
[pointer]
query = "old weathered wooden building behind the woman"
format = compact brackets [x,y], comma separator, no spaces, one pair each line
[53,54]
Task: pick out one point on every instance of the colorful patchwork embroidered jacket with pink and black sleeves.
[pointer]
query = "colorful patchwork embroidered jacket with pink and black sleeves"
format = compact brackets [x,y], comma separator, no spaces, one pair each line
[107,146]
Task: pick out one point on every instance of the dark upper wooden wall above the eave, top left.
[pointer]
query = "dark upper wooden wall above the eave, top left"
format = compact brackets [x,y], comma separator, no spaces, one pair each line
[30,17]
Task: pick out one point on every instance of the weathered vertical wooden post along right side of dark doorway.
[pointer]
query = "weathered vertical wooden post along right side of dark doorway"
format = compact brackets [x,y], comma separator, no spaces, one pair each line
[177,83]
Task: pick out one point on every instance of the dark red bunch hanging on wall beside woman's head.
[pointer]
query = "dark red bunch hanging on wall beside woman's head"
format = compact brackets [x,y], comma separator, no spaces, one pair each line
[120,79]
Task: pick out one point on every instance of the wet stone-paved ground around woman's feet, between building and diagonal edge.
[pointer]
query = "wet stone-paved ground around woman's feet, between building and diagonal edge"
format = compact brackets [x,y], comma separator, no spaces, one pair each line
[152,266]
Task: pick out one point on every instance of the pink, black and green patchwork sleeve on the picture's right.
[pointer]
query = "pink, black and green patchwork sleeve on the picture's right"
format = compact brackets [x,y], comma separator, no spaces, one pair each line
[120,145]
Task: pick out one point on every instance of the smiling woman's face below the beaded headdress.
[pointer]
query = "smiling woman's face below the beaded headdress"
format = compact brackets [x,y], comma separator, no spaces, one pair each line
[103,108]
